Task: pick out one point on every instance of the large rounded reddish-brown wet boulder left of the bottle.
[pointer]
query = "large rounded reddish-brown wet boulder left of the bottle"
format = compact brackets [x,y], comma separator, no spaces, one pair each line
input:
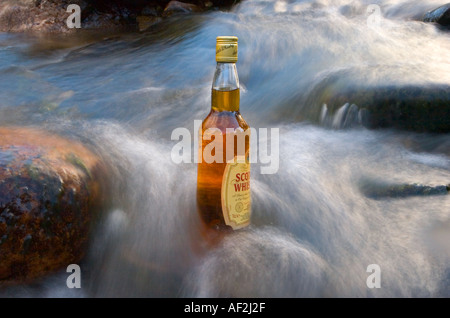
[50,193]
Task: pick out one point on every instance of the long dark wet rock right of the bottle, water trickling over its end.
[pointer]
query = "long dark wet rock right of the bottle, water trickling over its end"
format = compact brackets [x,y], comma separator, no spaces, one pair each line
[416,108]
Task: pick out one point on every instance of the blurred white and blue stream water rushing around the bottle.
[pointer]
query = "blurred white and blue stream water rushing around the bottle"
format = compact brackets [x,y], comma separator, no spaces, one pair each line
[314,230]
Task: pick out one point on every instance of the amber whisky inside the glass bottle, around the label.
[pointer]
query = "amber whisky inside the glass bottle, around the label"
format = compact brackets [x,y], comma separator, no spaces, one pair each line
[224,114]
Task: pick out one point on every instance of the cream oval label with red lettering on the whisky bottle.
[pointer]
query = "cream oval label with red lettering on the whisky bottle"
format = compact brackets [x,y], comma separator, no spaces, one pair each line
[236,201]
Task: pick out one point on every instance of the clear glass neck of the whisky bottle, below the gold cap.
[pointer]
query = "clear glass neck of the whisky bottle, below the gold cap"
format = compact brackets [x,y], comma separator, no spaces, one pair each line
[225,88]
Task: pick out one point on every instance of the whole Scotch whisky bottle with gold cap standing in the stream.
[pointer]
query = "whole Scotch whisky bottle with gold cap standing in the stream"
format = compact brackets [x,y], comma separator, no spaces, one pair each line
[223,184]
